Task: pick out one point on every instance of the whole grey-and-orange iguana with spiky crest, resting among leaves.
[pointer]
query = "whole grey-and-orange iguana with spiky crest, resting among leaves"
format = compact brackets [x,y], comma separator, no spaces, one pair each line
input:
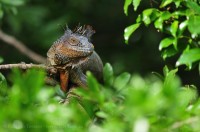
[72,55]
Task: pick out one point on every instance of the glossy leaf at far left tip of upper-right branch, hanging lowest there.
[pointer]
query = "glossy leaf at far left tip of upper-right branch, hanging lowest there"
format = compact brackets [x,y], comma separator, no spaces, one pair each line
[129,30]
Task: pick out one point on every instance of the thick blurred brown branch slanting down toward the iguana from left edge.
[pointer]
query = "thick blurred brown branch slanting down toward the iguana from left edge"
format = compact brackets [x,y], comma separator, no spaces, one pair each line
[21,47]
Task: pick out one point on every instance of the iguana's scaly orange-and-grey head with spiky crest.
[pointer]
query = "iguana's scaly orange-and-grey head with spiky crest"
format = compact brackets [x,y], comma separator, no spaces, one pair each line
[72,47]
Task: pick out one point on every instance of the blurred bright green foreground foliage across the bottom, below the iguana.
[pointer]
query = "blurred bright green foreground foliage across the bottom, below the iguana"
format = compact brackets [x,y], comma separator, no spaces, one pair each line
[124,103]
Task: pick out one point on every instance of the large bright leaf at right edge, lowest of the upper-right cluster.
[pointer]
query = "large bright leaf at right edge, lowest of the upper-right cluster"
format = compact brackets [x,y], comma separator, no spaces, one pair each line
[188,57]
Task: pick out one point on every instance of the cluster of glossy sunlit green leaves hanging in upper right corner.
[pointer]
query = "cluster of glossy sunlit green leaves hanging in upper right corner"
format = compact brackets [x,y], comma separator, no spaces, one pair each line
[178,19]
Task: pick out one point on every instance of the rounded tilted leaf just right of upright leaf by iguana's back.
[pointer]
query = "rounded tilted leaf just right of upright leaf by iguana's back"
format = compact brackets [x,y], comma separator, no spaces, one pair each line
[122,80]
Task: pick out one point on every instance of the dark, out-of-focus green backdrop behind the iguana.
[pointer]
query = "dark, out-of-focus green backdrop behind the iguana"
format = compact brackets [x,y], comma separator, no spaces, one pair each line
[39,23]
